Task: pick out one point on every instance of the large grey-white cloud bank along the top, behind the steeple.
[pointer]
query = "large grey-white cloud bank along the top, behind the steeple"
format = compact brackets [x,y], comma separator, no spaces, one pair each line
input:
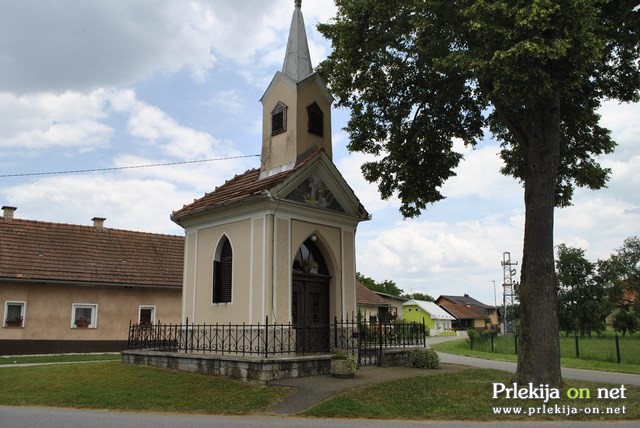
[62,45]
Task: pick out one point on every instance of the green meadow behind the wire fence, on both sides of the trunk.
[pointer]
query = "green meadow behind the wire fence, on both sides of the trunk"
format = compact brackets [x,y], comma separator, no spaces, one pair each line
[602,348]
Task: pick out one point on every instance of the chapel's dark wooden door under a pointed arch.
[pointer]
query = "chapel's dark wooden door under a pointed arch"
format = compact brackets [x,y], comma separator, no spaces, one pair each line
[310,298]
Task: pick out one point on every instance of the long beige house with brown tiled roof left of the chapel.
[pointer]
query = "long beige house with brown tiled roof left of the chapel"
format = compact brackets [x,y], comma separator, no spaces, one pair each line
[70,288]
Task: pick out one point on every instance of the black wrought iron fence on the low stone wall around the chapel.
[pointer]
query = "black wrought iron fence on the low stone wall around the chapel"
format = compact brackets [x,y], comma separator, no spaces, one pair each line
[365,340]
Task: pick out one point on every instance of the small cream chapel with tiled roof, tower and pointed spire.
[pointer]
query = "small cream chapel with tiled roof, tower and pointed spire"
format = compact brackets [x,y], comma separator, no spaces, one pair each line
[277,242]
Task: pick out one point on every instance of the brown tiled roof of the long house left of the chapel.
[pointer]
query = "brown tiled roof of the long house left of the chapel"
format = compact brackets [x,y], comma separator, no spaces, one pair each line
[41,251]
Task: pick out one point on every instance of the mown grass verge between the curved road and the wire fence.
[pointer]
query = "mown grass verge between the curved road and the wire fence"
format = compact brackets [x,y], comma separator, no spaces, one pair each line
[461,347]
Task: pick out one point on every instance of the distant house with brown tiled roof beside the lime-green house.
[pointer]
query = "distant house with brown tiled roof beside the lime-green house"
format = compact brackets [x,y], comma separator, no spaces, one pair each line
[469,312]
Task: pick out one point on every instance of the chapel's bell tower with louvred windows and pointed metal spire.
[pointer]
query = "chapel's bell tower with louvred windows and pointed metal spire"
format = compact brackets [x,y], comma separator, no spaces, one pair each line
[296,107]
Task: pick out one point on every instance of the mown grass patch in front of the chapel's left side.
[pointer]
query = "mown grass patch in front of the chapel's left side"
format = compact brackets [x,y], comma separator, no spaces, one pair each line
[117,386]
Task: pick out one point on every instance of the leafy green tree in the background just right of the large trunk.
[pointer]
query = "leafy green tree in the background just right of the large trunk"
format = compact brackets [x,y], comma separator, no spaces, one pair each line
[582,295]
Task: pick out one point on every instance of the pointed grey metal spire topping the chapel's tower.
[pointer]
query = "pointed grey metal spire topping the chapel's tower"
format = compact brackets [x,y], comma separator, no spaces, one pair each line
[297,61]
